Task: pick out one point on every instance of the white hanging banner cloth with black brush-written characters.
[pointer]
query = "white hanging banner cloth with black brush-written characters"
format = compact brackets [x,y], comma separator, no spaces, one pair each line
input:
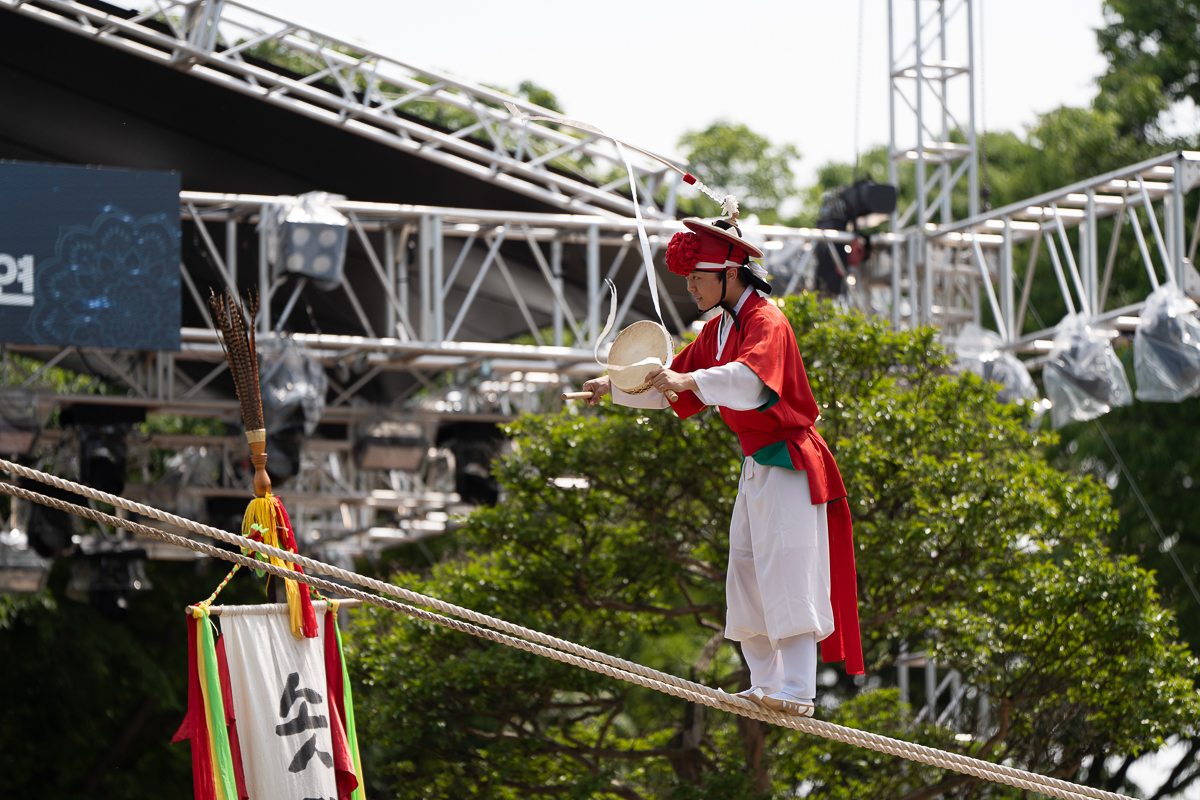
[284,718]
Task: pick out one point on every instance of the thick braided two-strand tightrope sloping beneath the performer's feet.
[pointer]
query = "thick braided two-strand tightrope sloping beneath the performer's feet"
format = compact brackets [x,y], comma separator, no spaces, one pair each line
[637,673]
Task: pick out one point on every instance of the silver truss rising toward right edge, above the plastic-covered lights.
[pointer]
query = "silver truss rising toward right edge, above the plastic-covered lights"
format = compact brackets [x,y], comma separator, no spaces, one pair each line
[975,257]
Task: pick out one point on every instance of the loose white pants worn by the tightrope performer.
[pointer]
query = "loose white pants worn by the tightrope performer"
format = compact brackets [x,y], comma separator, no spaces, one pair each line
[778,581]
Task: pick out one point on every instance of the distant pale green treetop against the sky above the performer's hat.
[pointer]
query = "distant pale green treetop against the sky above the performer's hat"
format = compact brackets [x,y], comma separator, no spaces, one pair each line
[734,160]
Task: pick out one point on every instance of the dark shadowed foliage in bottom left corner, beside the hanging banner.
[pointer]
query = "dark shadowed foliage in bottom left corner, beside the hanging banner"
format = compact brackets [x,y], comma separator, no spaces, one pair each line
[91,703]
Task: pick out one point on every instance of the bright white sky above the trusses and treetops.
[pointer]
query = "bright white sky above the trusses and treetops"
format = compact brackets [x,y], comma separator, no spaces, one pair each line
[796,71]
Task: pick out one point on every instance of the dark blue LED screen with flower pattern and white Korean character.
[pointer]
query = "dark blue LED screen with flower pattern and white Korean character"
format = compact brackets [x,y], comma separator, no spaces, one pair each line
[89,257]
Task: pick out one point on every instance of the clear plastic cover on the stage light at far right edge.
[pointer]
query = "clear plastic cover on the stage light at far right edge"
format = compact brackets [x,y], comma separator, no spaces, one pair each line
[1167,347]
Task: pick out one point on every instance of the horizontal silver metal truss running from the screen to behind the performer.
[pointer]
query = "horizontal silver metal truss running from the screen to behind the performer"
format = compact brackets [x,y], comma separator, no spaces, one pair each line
[434,266]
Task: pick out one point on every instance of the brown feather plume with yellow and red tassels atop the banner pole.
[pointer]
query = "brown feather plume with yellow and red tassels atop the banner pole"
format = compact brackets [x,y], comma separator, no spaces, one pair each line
[266,520]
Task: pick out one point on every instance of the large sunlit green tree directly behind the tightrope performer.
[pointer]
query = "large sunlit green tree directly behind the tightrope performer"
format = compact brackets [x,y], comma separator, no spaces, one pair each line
[969,544]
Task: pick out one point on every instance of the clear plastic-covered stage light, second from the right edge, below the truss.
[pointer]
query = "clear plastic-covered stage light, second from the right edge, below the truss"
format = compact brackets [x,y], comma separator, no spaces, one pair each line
[1084,376]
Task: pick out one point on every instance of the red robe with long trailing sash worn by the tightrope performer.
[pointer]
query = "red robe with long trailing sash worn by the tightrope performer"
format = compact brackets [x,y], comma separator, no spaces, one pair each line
[766,344]
